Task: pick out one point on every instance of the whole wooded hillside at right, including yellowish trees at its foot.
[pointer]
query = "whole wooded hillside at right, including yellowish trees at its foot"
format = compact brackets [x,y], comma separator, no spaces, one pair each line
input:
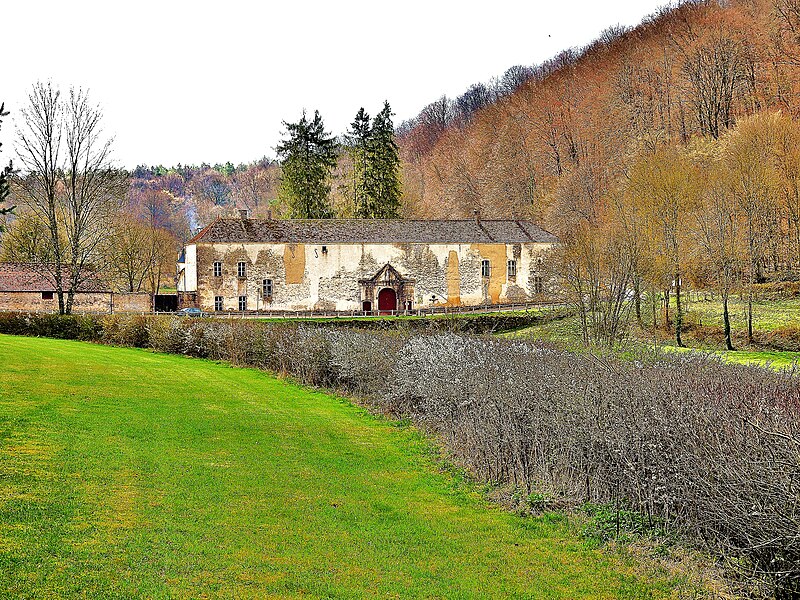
[663,156]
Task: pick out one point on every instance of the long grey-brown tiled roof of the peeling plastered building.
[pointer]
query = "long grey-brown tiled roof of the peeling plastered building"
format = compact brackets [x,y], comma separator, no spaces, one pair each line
[372,231]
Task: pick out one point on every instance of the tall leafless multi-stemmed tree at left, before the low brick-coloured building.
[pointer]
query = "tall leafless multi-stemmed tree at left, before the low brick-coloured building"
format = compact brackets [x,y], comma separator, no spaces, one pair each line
[68,181]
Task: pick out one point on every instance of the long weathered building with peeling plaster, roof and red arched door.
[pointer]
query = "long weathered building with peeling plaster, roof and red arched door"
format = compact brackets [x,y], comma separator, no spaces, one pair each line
[361,264]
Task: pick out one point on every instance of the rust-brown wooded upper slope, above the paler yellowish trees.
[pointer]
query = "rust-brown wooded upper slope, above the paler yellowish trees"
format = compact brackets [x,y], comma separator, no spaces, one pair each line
[564,138]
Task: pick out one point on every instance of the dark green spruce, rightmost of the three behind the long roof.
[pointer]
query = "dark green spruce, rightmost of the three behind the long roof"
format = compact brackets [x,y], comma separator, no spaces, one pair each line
[383,177]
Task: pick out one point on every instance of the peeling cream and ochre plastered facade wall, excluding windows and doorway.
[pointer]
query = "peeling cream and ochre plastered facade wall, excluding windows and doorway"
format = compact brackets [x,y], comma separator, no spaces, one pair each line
[317,277]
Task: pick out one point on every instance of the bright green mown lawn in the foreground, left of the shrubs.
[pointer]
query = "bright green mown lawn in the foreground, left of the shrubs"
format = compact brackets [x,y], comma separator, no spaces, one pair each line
[126,473]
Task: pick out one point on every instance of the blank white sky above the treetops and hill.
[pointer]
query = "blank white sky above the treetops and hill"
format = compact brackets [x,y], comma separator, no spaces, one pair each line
[187,82]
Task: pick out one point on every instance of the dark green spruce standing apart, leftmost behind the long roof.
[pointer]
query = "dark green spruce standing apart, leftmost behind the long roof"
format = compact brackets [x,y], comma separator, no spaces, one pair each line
[307,158]
